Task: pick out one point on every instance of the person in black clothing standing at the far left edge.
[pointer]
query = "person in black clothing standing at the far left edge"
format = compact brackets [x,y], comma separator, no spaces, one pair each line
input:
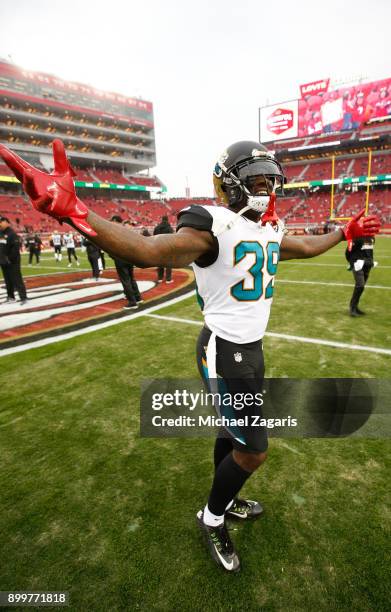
[10,262]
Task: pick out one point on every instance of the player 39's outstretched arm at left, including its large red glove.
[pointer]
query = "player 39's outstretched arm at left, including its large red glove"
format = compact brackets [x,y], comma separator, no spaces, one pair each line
[54,194]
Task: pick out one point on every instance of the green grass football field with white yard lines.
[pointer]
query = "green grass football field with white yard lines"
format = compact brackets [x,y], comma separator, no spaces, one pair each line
[90,507]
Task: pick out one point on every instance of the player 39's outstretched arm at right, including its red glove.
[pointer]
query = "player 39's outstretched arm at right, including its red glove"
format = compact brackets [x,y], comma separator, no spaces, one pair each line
[293,247]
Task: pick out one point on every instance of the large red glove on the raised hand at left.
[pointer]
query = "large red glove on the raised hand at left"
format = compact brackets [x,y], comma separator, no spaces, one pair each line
[53,194]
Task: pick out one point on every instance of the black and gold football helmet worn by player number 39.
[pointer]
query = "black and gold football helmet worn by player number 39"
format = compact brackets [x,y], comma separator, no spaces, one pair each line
[247,173]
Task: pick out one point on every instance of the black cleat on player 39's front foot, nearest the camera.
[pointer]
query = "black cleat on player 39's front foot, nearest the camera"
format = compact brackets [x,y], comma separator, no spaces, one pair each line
[220,545]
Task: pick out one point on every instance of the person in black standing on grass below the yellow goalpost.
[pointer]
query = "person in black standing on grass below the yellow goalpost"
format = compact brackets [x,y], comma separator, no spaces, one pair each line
[360,260]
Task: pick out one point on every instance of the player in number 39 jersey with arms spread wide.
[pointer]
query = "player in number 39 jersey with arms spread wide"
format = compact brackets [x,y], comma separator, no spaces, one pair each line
[234,250]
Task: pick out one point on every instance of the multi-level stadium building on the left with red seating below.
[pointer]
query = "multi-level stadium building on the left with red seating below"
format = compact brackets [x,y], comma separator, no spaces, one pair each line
[110,140]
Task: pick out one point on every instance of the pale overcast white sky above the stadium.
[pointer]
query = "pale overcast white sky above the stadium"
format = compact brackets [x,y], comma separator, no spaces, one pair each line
[206,65]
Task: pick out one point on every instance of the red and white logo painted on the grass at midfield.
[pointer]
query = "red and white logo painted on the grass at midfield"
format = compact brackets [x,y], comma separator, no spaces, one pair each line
[63,302]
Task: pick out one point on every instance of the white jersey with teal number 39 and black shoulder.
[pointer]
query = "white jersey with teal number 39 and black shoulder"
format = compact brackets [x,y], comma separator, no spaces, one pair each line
[235,288]
